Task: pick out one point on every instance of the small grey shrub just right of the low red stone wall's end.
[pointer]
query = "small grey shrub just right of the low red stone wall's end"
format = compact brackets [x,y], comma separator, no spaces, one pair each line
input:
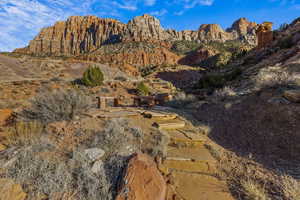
[181,99]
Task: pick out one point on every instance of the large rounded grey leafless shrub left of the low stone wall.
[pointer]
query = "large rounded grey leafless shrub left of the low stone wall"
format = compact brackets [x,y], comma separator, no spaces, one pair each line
[57,106]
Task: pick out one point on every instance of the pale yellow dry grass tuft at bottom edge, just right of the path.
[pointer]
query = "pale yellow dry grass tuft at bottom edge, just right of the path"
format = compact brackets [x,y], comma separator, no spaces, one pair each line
[253,191]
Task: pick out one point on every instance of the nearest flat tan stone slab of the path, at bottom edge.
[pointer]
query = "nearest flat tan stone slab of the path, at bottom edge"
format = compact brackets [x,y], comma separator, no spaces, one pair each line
[199,187]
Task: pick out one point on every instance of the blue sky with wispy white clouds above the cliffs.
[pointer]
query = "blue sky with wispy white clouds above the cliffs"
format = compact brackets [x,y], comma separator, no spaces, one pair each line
[21,20]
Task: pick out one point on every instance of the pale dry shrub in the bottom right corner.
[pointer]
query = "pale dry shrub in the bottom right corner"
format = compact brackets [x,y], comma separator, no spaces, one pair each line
[290,187]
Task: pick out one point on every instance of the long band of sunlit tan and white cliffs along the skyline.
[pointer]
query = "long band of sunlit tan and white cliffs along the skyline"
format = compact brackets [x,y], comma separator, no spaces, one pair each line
[80,35]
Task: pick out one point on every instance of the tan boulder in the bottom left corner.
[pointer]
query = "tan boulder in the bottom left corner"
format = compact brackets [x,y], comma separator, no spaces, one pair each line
[11,191]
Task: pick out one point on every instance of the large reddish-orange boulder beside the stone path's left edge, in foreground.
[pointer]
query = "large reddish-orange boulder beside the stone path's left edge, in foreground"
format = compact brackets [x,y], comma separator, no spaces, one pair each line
[142,181]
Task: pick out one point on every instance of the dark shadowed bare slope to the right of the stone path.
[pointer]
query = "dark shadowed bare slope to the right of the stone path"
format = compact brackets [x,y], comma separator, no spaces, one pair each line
[256,128]
